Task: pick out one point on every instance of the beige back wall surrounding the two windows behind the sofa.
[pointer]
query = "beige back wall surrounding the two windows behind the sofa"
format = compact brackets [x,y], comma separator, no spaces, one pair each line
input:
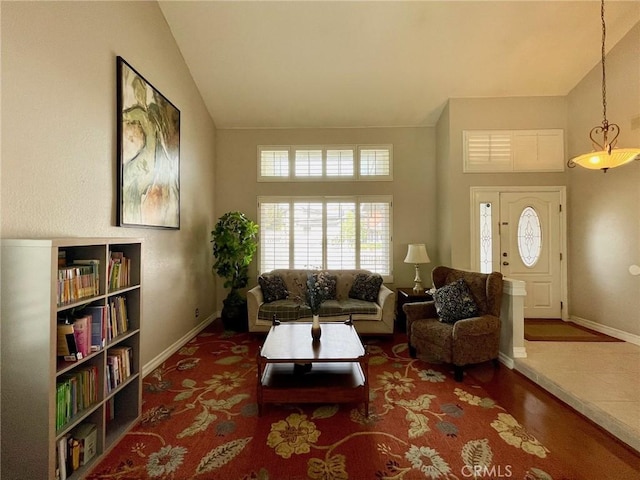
[413,187]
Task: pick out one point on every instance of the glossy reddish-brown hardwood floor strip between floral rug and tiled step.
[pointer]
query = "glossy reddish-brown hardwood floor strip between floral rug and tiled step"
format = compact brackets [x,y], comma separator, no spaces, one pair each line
[588,450]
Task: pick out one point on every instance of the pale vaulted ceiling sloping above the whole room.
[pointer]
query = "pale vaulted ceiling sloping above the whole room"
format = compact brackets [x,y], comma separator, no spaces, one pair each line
[303,64]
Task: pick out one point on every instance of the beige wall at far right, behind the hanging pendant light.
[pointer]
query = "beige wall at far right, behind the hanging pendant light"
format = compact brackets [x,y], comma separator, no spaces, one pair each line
[604,209]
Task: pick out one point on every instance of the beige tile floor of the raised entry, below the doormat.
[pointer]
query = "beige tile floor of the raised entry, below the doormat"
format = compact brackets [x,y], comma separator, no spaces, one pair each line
[601,380]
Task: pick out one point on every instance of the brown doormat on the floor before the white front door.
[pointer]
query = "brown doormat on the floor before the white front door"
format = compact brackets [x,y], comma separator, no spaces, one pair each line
[553,330]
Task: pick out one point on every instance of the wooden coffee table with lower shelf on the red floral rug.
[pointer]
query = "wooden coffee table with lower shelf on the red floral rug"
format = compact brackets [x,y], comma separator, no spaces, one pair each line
[339,366]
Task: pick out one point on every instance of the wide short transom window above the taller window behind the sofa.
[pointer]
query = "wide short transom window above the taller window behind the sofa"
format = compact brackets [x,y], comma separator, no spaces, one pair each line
[291,163]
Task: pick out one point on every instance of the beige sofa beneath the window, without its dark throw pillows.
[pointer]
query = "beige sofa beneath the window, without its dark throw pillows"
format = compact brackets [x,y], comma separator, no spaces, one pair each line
[369,317]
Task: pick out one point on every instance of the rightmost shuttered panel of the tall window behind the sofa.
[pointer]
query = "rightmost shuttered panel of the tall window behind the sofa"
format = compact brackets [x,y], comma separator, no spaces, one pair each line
[375,234]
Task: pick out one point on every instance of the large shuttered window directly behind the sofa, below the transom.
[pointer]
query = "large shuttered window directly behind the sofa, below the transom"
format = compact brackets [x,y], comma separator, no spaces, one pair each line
[326,232]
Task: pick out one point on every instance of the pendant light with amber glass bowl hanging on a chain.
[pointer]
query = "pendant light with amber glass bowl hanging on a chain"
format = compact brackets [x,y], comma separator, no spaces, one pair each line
[604,155]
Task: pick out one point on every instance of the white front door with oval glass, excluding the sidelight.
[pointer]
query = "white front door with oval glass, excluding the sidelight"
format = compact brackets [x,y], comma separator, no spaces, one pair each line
[530,248]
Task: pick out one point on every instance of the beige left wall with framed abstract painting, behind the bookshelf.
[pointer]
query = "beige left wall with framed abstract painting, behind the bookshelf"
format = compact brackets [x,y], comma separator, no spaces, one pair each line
[58,174]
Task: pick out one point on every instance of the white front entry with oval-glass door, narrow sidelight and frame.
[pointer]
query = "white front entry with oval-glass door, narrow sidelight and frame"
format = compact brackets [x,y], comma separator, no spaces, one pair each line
[519,231]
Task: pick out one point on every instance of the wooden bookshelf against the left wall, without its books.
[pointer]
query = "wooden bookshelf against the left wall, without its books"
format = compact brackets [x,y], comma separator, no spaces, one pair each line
[30,310]
